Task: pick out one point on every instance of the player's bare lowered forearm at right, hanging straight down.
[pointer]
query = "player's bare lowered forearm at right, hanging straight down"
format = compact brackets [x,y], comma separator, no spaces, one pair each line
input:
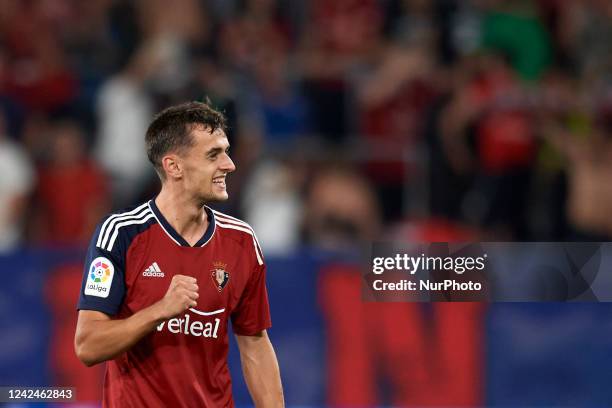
[260,369]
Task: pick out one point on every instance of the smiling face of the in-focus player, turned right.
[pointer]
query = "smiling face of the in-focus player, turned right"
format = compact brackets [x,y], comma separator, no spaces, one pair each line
[205,165]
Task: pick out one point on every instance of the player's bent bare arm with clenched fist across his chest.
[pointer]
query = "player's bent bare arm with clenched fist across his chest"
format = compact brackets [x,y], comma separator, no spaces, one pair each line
[99,338]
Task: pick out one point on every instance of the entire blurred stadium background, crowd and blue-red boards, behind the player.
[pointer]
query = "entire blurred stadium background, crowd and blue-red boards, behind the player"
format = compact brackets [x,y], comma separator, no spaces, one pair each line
[350,121]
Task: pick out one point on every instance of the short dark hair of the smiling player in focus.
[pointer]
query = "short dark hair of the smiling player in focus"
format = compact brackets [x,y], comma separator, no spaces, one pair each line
[171,129]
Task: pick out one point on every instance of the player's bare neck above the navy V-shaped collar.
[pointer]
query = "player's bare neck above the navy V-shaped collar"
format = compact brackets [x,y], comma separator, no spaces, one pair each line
[185,215]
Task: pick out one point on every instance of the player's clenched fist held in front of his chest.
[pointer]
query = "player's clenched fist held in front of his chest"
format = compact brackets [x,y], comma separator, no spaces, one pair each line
[181,295]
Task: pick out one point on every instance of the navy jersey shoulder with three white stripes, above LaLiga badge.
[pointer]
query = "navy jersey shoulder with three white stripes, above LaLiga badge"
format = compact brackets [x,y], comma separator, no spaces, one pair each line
[122,224]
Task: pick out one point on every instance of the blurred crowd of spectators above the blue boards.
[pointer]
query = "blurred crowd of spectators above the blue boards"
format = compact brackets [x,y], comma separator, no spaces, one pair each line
[349,119]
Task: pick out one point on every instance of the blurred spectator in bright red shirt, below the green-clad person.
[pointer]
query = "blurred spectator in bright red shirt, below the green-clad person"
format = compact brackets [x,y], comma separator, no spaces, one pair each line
[487,133]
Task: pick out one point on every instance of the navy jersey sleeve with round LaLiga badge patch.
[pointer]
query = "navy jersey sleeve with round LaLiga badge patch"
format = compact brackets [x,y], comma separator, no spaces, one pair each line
[103,284]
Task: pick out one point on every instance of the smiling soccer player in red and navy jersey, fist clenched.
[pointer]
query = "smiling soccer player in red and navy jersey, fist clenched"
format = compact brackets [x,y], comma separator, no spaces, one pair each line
[163,280]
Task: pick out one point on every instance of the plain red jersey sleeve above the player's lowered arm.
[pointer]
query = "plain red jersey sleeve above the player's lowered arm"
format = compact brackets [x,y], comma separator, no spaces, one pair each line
[252,315]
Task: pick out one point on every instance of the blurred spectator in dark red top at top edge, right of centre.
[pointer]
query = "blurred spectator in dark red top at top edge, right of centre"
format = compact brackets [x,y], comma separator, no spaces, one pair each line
[340,37]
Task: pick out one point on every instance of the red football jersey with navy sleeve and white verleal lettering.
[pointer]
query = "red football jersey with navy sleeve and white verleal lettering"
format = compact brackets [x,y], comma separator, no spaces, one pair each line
[131,260]
